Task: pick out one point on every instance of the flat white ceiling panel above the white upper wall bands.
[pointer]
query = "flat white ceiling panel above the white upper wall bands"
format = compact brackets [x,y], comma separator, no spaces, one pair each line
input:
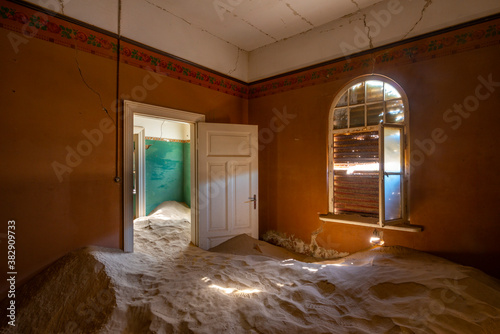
[251,24]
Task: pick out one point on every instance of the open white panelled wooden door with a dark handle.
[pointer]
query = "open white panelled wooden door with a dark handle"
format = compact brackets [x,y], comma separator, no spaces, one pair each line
[227,182]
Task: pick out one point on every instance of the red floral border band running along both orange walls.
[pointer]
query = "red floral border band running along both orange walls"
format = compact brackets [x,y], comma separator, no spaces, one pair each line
[40,25]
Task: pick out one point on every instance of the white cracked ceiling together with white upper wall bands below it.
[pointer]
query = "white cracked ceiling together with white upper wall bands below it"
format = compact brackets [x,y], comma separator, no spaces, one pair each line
[255,39]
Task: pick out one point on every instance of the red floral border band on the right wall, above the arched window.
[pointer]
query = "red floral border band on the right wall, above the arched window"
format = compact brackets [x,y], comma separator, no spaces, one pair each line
[456,41]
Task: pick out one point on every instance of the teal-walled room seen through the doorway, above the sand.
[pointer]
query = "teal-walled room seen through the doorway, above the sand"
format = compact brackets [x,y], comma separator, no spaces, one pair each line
[161,164]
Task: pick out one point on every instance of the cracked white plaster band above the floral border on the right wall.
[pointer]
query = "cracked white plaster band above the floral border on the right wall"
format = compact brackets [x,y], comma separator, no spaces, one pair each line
[323,43]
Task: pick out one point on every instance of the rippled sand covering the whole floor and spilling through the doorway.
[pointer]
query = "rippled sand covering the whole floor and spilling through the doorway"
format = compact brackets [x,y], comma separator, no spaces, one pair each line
[170,286]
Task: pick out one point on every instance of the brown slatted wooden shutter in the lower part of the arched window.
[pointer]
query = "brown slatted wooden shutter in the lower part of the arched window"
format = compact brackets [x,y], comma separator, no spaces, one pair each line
[356,191]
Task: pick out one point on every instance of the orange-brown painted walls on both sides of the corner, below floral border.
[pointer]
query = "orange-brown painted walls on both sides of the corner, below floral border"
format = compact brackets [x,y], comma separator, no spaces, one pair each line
[46,105]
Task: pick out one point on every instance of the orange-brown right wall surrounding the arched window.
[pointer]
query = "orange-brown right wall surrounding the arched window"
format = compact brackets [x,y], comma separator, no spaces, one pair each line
[454,193]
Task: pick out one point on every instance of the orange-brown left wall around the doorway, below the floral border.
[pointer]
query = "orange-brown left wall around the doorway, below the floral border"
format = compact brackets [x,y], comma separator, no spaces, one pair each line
[45,107]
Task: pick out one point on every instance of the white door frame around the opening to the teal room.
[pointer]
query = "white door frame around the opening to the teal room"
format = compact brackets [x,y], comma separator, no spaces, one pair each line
[130,108]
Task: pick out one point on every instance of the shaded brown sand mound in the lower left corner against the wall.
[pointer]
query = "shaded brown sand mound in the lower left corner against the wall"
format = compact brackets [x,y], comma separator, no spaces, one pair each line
[73,295]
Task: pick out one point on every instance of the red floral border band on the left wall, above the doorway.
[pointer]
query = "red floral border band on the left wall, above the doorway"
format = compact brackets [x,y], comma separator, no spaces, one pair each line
[40,25]
